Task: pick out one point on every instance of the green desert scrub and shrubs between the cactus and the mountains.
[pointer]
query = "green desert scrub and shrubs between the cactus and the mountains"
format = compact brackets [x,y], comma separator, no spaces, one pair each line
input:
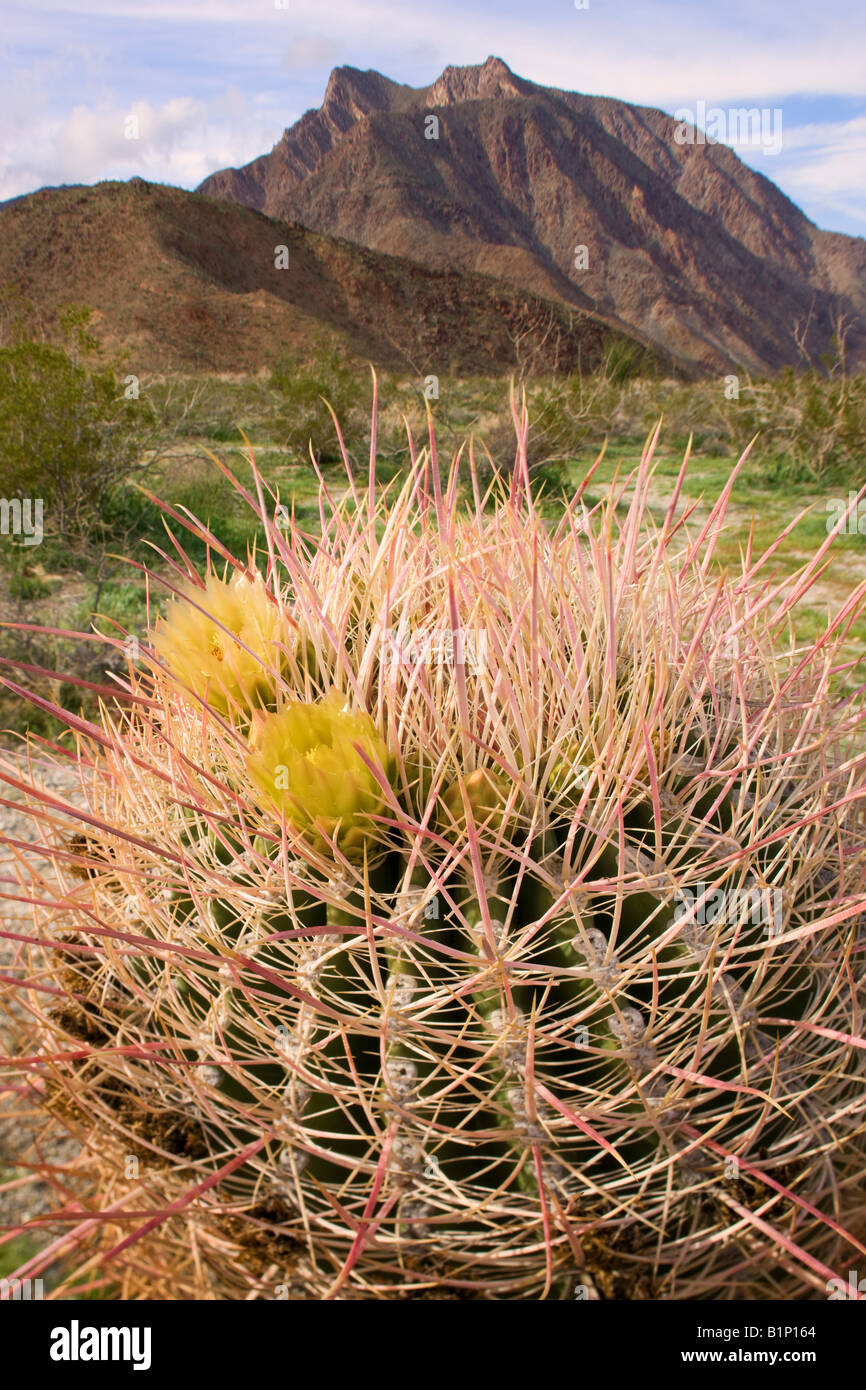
[73,436]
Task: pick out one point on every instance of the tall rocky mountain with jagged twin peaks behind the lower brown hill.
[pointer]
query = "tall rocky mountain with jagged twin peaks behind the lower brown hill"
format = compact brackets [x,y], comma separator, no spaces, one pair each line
[686,245]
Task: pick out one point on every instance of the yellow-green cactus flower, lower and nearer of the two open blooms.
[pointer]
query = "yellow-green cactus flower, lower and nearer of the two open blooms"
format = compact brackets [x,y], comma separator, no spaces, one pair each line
[307,762]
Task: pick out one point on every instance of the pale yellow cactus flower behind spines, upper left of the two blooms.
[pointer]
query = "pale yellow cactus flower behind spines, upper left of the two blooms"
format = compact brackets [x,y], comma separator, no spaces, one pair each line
[204,651]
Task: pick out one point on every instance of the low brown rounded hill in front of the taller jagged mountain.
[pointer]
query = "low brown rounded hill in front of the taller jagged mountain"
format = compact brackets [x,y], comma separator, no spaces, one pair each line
[184,281]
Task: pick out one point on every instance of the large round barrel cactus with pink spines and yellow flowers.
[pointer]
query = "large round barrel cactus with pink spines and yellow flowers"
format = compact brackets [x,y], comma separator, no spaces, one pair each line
[466,906]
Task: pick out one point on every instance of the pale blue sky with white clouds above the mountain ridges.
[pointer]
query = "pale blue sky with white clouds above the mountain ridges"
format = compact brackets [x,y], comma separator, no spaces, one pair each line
[215,83]
